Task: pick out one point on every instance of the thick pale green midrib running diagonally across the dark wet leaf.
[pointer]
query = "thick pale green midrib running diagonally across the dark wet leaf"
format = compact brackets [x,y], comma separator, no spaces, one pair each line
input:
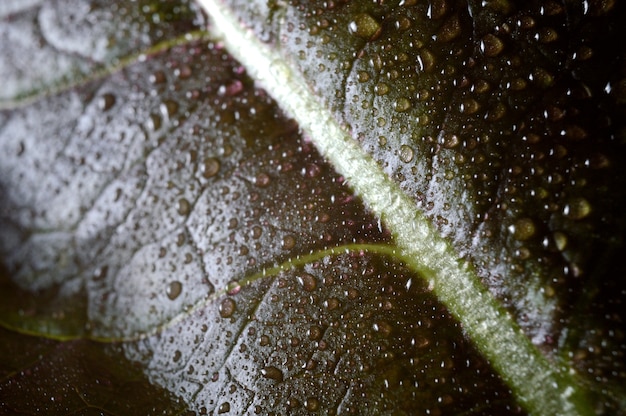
[539,385]
